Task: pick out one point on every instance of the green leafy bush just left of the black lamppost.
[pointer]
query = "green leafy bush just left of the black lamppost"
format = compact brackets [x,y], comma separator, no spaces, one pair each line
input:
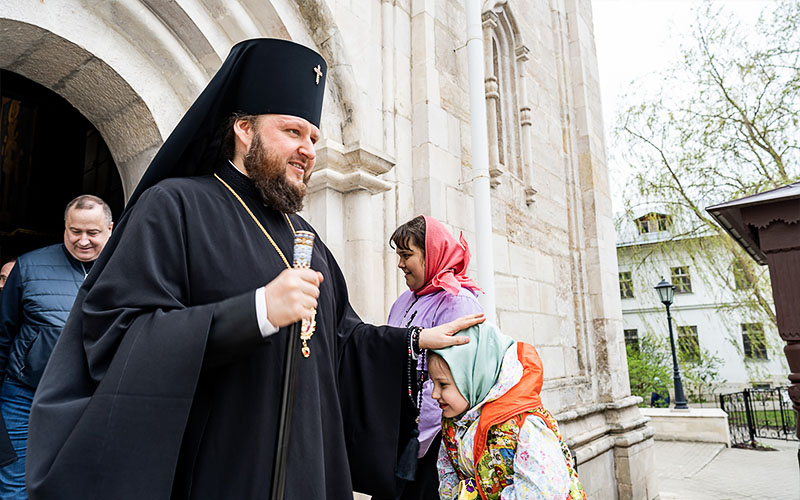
[648,369]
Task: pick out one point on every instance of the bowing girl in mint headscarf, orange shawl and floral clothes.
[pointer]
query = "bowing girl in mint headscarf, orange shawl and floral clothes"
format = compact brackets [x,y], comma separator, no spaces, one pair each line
[498,442]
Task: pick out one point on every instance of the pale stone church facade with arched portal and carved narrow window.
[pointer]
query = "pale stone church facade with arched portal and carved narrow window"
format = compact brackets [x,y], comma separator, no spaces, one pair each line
[396,144]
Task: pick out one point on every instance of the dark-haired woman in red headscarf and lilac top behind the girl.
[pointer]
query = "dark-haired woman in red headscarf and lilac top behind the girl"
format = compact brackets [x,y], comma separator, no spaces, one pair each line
[435,267]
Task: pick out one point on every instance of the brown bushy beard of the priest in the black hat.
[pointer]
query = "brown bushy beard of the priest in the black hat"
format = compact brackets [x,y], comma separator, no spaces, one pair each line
[268,173]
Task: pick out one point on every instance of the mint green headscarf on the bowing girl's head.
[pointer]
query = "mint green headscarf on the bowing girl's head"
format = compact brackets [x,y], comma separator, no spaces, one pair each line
[476,366]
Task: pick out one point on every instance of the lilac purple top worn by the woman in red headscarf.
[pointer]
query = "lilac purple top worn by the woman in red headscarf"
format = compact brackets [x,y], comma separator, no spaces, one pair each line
[428,311]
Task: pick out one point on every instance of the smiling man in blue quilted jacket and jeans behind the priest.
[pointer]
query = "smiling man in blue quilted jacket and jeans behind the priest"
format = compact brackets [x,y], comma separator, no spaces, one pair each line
[34,307]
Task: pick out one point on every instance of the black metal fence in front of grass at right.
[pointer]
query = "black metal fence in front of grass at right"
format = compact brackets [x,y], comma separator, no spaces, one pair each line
[759,413]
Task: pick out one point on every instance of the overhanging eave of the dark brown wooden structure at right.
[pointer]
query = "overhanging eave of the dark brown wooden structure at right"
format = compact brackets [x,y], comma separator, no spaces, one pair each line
[729,216]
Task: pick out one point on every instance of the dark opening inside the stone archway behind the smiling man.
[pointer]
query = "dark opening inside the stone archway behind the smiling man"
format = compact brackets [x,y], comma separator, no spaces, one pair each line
[49,154]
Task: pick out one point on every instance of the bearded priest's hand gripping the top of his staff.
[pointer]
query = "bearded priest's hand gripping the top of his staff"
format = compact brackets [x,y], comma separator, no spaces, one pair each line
[292,296]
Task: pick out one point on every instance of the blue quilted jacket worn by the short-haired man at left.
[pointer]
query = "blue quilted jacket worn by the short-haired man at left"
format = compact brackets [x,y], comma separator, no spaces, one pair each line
[34,306]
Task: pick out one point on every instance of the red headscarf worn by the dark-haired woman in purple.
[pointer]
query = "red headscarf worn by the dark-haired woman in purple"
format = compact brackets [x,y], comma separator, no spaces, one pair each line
[446,261]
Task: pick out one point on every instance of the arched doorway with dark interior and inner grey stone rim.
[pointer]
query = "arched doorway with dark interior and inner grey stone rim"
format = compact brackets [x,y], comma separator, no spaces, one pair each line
[70,125]
